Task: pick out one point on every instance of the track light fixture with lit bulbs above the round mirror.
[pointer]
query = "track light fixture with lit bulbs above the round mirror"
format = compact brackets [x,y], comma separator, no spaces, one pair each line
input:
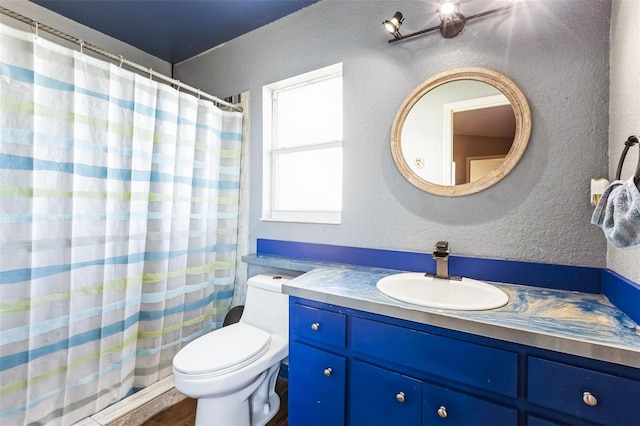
[452,21]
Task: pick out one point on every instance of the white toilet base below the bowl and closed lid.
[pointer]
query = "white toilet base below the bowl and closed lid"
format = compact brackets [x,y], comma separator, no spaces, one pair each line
[251,406]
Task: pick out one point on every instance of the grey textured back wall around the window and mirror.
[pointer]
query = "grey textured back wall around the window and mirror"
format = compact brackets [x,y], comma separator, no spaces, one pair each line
[557,51]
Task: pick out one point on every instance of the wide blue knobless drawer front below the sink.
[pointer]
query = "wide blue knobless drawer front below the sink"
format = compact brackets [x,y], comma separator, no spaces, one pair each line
[487,368]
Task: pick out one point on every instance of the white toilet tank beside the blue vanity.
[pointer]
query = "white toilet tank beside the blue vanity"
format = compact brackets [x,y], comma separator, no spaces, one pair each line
[266,306]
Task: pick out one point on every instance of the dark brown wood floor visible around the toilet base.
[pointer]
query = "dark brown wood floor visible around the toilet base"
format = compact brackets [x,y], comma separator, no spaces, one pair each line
[184,412]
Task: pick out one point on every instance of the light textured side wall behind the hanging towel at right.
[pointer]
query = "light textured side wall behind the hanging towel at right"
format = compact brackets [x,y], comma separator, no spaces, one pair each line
[624,111]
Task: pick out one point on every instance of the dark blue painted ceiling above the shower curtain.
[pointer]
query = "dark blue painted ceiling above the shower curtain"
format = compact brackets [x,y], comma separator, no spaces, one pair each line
[174,30]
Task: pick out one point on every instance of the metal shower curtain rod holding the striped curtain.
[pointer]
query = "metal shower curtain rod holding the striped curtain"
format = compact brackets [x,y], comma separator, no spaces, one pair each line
[118,58]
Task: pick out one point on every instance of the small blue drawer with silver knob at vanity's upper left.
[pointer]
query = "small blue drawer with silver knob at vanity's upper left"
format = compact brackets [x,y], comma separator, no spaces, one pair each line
[318,324]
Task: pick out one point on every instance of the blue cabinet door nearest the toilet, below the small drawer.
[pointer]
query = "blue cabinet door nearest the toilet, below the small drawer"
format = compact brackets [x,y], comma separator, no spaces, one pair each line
[317,382]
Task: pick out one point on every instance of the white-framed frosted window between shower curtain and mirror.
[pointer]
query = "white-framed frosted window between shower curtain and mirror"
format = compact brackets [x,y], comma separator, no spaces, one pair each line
[303,148]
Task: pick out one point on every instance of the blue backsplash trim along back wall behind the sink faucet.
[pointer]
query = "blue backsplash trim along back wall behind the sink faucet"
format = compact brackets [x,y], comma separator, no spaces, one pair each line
[561,277]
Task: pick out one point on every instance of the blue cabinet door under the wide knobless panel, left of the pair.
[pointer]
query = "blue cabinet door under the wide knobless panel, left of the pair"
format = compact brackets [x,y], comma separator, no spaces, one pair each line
[381,397]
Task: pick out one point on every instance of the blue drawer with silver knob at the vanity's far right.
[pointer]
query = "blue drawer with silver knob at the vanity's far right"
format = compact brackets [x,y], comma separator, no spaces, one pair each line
[563,388]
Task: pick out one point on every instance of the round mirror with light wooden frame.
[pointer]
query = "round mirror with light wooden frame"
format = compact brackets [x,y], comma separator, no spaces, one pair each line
[460,131]
